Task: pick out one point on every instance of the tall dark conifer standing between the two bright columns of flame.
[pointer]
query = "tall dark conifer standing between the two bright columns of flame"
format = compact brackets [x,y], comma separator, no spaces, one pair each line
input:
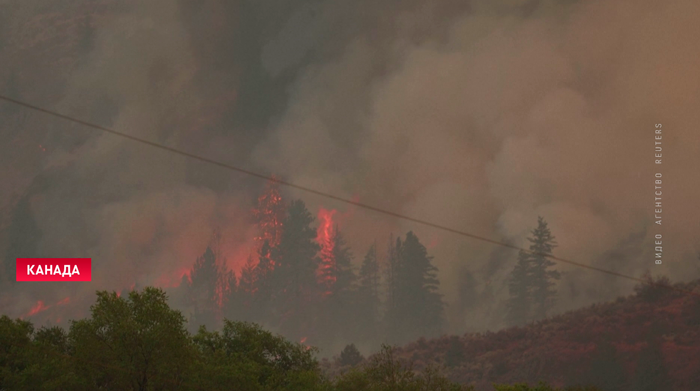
[294,275]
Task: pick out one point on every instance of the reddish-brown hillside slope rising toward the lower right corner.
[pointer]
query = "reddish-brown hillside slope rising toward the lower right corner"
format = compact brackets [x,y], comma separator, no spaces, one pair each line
[649,341]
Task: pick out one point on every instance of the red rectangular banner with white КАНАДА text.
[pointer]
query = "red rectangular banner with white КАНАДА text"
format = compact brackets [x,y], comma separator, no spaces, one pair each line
[54,269]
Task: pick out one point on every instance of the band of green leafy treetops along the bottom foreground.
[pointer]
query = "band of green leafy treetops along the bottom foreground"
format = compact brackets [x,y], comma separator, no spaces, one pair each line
[139,343]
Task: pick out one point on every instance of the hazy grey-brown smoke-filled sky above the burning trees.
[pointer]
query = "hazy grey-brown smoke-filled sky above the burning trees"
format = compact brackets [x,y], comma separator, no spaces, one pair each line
[477,115]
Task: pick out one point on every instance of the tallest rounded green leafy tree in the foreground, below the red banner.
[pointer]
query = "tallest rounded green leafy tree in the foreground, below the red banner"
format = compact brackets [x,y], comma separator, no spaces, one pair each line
[132,343]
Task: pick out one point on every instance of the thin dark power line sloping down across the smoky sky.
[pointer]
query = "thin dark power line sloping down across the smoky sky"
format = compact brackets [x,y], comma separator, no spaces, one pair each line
[331,196]
